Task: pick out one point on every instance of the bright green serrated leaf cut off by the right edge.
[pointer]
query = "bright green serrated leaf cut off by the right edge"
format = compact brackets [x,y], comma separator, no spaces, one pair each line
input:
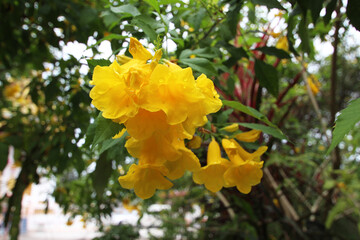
[345,122]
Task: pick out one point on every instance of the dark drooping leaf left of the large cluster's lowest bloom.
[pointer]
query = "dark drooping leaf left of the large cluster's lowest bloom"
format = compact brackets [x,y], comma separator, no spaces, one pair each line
[101,175]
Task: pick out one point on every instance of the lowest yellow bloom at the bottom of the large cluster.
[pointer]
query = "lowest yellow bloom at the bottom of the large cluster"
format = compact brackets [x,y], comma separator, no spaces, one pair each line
[145,179]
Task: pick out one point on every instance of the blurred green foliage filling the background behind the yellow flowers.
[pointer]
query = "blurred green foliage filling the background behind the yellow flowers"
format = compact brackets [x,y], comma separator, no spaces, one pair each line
[263,54]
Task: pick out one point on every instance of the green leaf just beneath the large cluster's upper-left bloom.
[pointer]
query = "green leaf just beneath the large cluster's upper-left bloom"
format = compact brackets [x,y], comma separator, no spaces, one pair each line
[105,129]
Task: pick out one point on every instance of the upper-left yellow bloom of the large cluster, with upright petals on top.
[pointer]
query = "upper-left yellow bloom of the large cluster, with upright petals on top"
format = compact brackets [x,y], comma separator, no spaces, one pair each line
[117,88]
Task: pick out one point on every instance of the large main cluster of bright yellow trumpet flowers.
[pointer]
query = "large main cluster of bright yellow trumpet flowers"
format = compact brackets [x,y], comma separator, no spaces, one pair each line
[160,106]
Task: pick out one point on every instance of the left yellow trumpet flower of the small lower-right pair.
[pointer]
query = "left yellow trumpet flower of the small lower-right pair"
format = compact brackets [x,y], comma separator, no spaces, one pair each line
[212,174]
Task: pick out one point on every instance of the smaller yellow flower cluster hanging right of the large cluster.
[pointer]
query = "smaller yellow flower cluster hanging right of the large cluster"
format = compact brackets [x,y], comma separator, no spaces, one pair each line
[243,170]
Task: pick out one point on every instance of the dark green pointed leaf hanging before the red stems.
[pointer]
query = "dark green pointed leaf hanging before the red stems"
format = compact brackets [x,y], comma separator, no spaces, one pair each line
[267,76]
